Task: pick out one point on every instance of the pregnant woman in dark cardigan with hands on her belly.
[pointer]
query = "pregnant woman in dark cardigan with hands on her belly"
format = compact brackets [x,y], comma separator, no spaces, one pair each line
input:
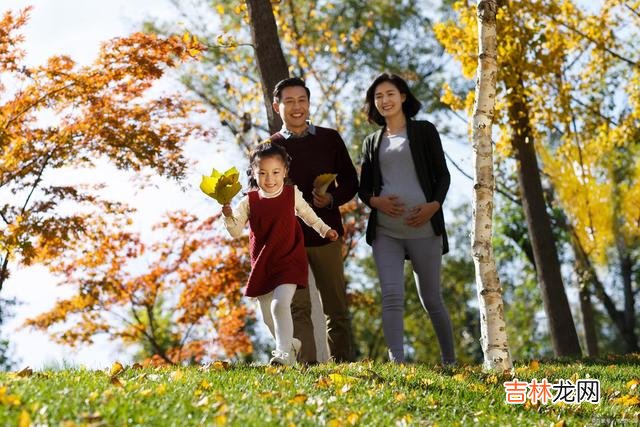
[404,180]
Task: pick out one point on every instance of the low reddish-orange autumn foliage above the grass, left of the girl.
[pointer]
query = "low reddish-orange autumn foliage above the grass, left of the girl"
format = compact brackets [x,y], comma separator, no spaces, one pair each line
[178,295]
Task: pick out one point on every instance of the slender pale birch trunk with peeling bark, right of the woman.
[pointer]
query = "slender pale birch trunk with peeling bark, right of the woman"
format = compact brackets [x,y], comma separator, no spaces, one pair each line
[492,324]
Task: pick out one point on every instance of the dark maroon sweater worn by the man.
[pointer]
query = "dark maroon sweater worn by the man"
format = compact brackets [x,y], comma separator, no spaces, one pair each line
[313,155]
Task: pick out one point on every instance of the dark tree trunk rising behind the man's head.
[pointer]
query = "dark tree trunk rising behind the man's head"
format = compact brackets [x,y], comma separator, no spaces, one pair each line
[272,64]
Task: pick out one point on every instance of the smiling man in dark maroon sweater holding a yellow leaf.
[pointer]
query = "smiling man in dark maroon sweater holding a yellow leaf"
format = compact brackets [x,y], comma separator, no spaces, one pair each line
[315,151]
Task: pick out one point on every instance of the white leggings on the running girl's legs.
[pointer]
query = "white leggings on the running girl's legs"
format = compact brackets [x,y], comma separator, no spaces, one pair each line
[276,312]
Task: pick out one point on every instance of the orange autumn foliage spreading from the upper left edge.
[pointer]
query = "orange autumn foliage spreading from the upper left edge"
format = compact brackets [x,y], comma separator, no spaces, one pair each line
[59,116]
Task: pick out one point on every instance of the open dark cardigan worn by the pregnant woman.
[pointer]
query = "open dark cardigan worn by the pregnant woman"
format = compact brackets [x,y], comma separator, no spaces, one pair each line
[431,168]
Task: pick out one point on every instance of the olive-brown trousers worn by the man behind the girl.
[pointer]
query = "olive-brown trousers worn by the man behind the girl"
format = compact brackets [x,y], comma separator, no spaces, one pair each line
[327,267]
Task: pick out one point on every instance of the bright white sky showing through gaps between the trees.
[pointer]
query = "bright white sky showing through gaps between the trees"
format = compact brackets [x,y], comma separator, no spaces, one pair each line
[76,28]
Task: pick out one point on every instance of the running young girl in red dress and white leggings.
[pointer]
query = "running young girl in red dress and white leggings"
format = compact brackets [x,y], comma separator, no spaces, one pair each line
[278,258]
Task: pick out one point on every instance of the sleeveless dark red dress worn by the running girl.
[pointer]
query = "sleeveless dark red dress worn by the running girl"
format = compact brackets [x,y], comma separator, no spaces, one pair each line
[276,243]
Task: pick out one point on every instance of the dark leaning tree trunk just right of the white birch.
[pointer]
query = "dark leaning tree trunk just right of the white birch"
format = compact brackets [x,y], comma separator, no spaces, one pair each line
[561,326]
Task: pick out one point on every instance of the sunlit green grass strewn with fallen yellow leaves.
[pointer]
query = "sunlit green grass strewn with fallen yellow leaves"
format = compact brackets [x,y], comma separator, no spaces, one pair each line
[351,394]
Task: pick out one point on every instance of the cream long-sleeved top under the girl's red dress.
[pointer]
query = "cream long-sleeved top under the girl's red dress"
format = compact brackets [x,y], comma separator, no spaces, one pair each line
[235,223]
